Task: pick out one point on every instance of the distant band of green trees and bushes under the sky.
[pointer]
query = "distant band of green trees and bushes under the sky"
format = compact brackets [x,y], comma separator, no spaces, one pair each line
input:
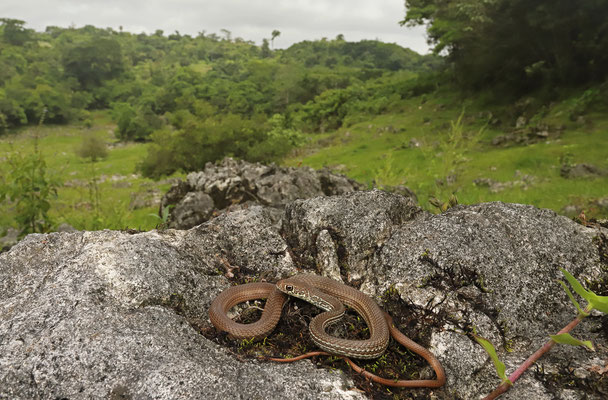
[204,97]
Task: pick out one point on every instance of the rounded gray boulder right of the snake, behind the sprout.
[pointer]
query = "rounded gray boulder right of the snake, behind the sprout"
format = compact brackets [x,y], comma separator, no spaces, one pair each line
[494,267]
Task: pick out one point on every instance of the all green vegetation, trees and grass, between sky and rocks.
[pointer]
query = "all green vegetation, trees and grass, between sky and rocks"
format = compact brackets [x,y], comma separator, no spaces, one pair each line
[497,116]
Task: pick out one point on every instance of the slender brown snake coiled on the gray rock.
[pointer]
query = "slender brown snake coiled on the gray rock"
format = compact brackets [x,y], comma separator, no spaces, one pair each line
[331,296]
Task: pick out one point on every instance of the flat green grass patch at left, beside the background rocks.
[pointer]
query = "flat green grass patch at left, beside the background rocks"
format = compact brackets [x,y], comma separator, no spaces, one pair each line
[118,185]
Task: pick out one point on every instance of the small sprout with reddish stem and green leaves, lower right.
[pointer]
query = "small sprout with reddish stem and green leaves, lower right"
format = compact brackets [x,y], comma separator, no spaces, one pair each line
[594,301]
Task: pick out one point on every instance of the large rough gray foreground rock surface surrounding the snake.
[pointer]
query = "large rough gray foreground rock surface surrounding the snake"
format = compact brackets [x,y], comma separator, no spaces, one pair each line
[116,315]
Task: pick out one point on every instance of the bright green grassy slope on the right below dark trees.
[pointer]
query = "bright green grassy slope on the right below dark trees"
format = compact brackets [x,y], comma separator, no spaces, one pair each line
[411,146]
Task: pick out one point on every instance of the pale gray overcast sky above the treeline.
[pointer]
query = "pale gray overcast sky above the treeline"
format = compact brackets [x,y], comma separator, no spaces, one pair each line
[297,20]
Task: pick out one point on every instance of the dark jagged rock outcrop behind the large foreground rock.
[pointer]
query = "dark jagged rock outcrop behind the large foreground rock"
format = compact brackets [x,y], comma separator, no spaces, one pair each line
[240,183]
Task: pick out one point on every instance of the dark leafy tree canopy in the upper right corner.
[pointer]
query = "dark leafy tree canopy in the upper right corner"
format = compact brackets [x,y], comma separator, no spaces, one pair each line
[517,46]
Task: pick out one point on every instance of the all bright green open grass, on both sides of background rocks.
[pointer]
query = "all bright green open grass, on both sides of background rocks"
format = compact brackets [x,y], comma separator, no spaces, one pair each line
[408,146]
